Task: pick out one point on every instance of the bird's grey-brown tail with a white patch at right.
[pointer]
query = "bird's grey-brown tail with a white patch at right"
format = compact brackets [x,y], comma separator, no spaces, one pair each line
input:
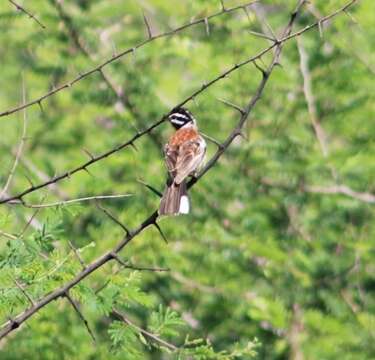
[175,200]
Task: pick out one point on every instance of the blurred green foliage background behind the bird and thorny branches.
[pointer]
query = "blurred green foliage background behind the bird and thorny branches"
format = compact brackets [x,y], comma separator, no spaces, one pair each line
[277,257]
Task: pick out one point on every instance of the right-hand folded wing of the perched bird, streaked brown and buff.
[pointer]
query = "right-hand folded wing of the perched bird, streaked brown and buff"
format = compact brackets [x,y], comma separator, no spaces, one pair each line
[190,156]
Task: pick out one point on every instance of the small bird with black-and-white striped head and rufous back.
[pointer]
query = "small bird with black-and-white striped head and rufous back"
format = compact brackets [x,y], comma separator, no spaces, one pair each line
[184,154]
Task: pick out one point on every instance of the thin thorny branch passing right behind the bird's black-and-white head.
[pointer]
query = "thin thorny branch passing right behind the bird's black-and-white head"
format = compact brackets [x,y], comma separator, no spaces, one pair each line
[204,87]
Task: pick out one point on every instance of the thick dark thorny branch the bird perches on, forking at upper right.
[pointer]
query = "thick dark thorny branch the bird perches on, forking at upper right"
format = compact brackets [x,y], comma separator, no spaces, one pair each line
[13,324]
